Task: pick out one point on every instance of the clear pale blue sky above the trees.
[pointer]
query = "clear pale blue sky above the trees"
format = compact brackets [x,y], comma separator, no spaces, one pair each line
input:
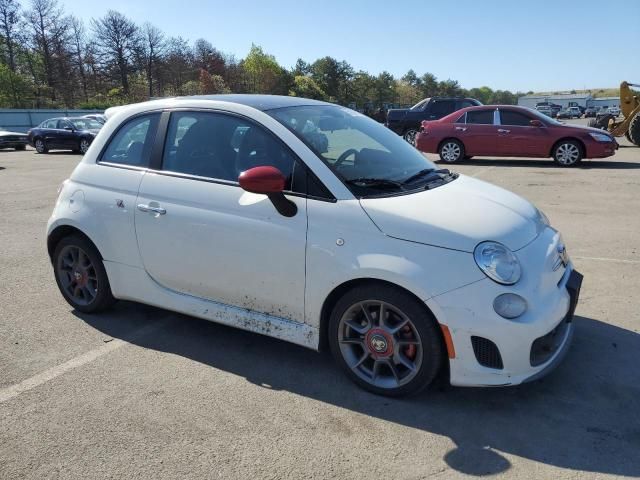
[517,45]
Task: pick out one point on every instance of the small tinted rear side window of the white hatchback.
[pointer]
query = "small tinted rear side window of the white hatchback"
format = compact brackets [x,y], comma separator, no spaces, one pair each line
[133,142]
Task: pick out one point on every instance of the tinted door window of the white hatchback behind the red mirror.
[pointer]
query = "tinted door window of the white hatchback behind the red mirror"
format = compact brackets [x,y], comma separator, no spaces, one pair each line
[219,146]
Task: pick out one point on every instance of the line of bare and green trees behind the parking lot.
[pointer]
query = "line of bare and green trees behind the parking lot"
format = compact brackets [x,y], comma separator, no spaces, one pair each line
[50,59]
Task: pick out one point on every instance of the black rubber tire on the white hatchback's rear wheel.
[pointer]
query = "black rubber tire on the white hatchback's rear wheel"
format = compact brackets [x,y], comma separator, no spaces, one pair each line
[94,278]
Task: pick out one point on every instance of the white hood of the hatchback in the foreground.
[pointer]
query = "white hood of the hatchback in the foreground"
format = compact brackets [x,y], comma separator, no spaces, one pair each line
[457,215]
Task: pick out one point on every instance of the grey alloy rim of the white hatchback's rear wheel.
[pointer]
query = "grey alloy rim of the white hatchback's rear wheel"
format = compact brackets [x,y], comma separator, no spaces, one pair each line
[77,275]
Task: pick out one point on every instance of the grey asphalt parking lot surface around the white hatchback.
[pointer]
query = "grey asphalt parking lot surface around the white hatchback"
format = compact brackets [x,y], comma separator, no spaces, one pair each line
[144,393]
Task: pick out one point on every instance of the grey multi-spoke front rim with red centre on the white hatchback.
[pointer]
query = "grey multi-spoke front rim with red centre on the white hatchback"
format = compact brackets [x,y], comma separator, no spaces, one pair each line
[380,344]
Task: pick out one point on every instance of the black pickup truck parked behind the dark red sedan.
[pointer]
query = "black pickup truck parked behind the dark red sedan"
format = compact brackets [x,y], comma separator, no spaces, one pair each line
[406,121]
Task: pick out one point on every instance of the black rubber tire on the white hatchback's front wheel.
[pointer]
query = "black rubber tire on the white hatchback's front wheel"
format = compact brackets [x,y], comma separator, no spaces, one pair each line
[429,348]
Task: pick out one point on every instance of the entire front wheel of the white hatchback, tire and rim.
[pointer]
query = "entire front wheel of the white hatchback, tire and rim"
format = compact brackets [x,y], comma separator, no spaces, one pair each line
[385,340]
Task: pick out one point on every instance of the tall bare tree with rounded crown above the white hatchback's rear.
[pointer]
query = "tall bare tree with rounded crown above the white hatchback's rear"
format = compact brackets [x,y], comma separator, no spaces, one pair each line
[117,40]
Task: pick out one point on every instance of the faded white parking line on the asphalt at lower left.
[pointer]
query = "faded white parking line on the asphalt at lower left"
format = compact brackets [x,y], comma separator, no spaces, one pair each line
[30,383]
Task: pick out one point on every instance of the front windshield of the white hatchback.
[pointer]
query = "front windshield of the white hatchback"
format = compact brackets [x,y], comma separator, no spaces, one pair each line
[366,156]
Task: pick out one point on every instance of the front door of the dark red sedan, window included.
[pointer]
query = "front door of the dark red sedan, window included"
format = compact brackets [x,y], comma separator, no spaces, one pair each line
[518,137]
